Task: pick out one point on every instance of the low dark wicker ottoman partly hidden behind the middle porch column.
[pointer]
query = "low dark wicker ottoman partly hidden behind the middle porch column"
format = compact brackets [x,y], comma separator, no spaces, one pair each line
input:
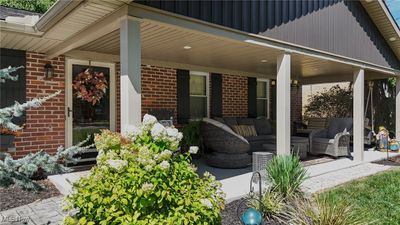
[300,146]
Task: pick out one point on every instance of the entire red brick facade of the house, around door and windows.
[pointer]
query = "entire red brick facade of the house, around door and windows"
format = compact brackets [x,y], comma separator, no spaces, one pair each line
[45,126]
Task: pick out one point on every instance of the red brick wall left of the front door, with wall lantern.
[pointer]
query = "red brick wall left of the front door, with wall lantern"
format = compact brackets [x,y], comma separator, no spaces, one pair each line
[44,125]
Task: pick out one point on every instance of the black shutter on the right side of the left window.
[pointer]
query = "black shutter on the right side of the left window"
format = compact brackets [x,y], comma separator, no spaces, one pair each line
[216,95]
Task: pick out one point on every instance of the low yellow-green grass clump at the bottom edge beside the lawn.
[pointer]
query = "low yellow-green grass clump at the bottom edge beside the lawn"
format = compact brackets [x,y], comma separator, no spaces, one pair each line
[323,212]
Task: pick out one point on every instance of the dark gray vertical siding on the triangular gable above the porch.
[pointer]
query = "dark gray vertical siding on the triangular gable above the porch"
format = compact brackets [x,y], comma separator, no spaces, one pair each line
[337,26]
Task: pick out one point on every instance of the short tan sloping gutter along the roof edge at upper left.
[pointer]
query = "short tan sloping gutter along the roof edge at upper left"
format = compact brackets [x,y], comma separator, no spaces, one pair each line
[60,9]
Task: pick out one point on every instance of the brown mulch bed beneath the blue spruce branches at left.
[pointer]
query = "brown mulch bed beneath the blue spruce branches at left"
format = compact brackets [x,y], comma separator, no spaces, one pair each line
[14,196]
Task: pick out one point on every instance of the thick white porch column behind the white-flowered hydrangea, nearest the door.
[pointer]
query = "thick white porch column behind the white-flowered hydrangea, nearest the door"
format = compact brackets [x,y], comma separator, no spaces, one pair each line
[130,57]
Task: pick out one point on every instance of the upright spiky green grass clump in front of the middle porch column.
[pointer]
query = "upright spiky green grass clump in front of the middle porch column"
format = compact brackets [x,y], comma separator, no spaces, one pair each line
[285,175]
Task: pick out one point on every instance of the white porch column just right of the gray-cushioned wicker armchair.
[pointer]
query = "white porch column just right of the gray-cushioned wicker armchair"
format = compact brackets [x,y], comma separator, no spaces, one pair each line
[358,115]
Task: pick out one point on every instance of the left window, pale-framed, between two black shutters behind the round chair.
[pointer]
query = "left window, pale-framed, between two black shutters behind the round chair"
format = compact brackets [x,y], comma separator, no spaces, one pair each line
[198,95]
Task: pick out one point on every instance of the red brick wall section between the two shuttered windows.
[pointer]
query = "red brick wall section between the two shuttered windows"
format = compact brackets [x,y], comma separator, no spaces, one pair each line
[234,96]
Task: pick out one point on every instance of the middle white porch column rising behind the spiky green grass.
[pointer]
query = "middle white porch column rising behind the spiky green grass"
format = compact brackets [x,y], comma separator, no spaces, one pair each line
[283,104]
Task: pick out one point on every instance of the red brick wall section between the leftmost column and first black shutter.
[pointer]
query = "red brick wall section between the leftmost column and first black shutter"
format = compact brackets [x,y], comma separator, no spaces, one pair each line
[158,89]
